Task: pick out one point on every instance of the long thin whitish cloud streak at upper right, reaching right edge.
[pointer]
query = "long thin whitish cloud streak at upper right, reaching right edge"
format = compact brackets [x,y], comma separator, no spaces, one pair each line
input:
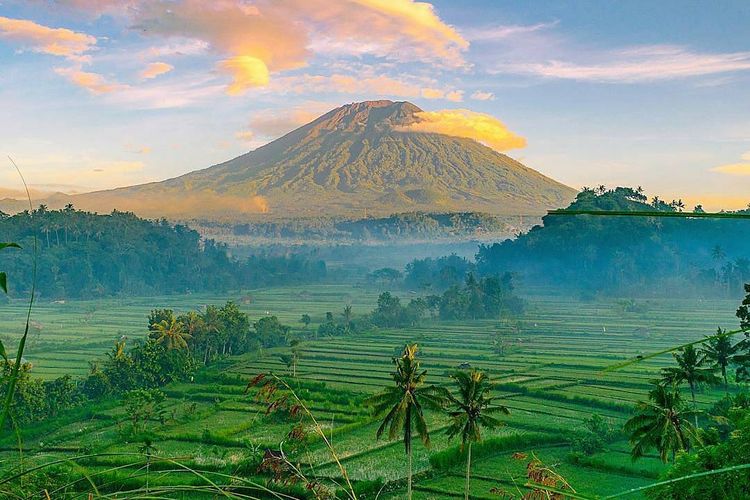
[634,65]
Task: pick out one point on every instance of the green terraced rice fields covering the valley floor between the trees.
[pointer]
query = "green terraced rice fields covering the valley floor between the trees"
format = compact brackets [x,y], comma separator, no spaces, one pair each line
[551,378]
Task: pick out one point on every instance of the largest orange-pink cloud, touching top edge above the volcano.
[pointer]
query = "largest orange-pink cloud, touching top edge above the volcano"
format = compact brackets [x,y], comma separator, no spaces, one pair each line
[257,40]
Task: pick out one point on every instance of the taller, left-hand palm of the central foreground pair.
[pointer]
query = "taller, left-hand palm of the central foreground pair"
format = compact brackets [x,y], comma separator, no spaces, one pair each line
[403,405]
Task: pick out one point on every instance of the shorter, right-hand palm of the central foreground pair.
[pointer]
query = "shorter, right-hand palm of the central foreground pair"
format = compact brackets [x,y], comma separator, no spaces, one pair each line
[471,411]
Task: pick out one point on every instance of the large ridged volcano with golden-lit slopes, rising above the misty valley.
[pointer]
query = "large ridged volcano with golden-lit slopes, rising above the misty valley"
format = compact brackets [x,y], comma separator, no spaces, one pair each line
[351,161]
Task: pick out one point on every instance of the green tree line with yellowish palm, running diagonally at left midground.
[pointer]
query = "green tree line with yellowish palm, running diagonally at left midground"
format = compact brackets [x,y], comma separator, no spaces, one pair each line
[174,349]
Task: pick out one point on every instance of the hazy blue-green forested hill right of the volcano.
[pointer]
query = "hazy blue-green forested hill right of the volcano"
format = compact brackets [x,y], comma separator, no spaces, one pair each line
[615,253]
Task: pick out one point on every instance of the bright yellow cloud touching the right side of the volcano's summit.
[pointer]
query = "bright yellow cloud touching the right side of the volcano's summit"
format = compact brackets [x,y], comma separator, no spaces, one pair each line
[464,123]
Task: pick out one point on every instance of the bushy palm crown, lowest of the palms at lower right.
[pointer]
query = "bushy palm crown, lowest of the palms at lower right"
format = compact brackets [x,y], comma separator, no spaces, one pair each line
[661,423]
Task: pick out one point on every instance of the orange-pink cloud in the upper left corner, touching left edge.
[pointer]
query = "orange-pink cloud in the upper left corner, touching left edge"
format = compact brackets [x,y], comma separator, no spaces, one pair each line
[43,39]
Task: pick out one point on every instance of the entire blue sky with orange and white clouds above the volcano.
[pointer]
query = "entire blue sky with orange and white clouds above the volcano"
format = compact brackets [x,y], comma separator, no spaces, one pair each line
[104,93]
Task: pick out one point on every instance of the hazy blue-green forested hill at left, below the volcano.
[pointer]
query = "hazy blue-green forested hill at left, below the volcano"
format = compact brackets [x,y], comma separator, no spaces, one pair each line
[81,254]
